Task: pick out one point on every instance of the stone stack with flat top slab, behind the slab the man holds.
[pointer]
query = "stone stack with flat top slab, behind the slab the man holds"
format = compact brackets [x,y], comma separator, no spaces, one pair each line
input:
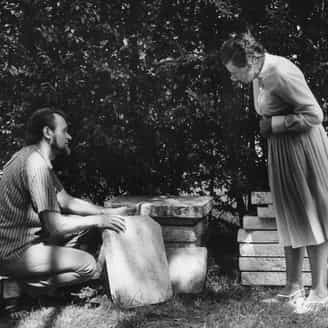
[183,220]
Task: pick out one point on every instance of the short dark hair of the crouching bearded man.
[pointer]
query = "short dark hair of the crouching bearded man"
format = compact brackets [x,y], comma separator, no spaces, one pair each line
[38,120]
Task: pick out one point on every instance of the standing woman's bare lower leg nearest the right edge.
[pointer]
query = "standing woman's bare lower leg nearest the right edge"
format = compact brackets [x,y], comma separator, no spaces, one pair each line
[318,255]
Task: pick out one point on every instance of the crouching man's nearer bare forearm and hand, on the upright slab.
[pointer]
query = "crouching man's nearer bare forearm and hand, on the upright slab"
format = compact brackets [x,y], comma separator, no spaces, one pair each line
[57,224]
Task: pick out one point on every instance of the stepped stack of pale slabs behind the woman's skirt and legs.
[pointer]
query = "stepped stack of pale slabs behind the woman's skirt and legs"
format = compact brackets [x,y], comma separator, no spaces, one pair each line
[261,260]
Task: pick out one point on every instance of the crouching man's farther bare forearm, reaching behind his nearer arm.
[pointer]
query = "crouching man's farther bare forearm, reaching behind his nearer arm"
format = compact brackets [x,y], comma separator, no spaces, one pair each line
[73,205]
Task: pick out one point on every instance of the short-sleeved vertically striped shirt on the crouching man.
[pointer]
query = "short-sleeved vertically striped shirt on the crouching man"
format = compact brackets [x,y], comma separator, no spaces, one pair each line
[28,187]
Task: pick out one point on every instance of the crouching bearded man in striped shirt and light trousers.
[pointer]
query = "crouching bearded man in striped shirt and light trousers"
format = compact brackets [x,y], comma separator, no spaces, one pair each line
[39,221]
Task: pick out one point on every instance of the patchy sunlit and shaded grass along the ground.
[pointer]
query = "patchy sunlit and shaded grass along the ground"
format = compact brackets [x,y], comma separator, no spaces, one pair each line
[224,303]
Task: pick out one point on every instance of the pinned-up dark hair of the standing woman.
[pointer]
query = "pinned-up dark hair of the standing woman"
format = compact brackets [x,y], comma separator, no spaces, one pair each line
[240,48]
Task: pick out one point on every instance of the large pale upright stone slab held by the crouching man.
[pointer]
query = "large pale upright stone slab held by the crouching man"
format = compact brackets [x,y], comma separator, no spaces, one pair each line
[136,263]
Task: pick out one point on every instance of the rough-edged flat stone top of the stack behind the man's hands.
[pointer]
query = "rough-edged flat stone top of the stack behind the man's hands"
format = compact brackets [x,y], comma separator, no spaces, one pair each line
[166,206]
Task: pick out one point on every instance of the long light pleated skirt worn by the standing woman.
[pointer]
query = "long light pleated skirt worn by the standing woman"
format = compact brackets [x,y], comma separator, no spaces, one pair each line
[298,178]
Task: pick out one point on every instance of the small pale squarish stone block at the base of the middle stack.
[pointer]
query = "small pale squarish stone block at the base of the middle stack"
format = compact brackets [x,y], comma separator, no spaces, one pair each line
[188,268]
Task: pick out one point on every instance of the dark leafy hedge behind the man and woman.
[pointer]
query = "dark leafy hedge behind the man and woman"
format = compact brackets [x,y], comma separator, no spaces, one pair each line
[151,108]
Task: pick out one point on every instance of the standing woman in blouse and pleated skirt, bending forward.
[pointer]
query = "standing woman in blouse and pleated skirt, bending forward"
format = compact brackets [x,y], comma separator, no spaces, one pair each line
[291,119]
